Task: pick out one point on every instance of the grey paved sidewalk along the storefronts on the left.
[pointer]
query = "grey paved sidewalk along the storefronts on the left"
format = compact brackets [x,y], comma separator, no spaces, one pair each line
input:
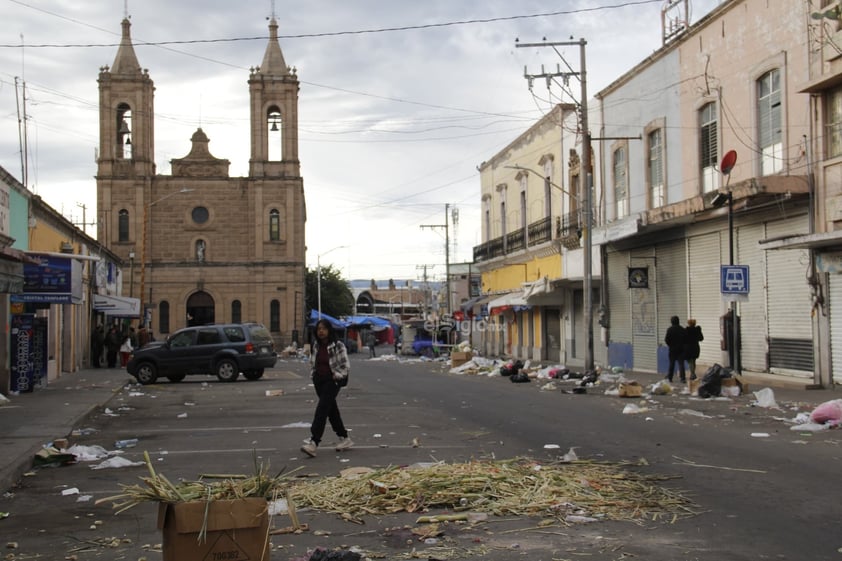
[31,420]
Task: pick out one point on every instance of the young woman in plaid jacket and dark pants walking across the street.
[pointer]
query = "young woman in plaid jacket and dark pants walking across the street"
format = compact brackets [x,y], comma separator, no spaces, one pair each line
[329,371]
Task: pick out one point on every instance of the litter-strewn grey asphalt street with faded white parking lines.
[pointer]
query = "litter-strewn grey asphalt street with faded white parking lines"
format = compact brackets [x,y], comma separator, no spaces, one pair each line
[759,489]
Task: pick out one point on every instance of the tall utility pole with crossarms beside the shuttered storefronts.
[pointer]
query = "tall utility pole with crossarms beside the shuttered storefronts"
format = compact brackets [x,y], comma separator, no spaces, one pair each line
[586,179]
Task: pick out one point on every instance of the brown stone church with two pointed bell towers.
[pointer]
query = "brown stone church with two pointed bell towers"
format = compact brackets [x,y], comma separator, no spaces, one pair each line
[204,247]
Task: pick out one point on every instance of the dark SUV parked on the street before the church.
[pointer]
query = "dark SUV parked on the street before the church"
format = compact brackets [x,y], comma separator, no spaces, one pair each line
[221,349]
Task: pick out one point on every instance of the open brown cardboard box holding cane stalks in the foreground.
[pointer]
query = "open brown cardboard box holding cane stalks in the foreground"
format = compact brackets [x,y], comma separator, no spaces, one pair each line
[237,529]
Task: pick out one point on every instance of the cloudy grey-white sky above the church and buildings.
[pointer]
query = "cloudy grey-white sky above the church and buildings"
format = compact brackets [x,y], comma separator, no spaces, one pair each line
[400,101]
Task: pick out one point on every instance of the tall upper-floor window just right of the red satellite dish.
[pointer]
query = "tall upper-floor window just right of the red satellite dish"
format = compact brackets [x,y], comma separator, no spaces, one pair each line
[769,120]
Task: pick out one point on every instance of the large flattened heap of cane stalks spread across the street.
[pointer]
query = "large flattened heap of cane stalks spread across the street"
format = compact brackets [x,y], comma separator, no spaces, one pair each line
[520,487]
